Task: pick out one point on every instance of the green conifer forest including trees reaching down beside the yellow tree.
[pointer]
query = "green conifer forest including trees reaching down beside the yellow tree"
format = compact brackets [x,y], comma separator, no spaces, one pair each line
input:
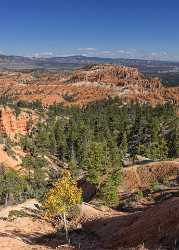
[94,141]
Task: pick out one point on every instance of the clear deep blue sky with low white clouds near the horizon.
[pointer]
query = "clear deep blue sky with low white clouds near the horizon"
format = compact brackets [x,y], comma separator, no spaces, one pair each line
[113,28]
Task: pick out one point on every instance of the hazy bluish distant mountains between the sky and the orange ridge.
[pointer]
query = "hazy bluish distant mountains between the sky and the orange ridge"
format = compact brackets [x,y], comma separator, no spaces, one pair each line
[167,71]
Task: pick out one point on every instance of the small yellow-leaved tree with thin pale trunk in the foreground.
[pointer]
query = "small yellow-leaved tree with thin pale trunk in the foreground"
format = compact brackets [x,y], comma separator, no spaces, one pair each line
[61,198]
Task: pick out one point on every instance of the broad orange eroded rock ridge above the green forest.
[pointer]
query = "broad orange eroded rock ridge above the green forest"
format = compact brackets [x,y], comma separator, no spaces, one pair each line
[94,83]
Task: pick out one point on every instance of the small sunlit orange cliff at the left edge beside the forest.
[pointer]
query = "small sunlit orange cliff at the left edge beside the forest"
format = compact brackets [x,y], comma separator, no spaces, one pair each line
[12,125]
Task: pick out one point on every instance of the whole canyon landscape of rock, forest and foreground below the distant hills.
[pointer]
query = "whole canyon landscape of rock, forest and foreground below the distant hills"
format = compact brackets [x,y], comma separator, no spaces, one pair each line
[102,141]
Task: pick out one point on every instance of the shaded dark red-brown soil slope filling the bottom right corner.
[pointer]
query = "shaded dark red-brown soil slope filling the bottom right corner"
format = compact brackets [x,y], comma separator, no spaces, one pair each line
[156,226]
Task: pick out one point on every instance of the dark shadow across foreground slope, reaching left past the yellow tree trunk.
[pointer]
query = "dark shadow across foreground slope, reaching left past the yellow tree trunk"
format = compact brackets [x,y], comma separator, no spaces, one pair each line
[156,227]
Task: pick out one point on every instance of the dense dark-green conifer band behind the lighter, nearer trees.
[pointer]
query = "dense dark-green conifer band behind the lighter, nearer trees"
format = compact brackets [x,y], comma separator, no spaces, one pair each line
[68,132]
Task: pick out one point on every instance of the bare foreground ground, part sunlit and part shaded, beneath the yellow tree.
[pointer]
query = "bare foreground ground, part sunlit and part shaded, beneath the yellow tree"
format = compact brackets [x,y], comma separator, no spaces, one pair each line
[156,227]
